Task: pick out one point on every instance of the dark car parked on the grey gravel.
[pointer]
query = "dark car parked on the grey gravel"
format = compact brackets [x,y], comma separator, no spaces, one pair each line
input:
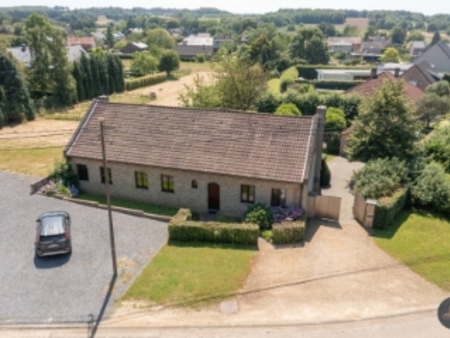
[53,234]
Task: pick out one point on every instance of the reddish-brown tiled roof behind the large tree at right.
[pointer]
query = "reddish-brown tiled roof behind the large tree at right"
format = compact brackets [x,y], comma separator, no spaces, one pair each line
[369,87]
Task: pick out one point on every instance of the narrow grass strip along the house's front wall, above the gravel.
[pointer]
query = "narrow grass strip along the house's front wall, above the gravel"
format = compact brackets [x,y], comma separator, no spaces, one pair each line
[118,202]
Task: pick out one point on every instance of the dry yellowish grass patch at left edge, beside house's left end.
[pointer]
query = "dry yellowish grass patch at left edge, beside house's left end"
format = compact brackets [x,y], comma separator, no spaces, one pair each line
[32,161]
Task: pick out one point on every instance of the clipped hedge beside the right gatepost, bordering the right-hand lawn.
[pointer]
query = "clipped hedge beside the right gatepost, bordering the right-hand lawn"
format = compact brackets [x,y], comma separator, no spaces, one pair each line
[389,208]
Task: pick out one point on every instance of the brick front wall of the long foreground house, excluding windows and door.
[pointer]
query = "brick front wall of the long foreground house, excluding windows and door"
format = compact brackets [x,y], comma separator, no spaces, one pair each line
[124,186]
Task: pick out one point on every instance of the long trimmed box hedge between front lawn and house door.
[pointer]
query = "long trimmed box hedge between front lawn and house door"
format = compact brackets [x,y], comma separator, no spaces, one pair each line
[183,229]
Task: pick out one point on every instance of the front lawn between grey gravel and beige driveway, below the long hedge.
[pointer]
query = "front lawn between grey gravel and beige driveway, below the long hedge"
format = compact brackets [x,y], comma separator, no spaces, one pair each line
[192,273]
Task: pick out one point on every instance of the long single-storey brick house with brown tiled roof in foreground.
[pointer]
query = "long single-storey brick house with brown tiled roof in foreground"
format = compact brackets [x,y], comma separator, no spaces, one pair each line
[199,159]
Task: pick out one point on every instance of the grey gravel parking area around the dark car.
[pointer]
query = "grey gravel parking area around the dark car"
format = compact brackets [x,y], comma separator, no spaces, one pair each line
[65,288]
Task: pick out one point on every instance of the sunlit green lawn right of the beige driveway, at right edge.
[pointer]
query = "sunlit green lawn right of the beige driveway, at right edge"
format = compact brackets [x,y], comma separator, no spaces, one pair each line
[420,240]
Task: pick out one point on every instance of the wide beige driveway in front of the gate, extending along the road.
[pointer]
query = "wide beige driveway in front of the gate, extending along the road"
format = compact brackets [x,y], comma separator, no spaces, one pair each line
[339,274]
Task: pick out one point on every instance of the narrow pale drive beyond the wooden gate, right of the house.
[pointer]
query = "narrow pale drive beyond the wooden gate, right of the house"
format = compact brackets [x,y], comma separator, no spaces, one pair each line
[341,173]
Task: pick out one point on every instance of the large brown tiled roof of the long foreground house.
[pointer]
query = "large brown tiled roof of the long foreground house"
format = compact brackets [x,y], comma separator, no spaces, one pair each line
[234,143]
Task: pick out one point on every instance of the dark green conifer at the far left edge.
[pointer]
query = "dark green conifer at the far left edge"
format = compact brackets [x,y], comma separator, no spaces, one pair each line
[15,100]
